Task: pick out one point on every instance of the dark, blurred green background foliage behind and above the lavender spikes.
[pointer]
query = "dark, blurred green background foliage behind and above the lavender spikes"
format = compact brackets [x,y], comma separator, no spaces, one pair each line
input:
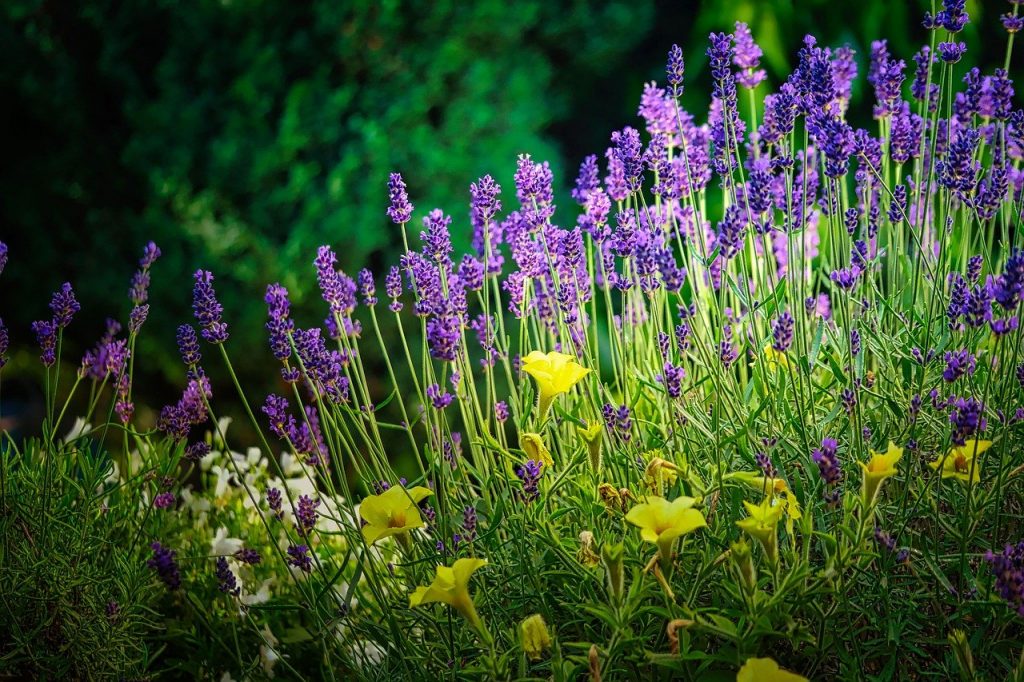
[242,135]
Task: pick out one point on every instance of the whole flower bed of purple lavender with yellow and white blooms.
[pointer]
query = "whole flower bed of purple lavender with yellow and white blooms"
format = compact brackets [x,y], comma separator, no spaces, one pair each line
[644,440]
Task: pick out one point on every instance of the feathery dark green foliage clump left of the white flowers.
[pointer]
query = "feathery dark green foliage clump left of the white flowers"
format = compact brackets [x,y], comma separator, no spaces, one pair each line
[77,602]
